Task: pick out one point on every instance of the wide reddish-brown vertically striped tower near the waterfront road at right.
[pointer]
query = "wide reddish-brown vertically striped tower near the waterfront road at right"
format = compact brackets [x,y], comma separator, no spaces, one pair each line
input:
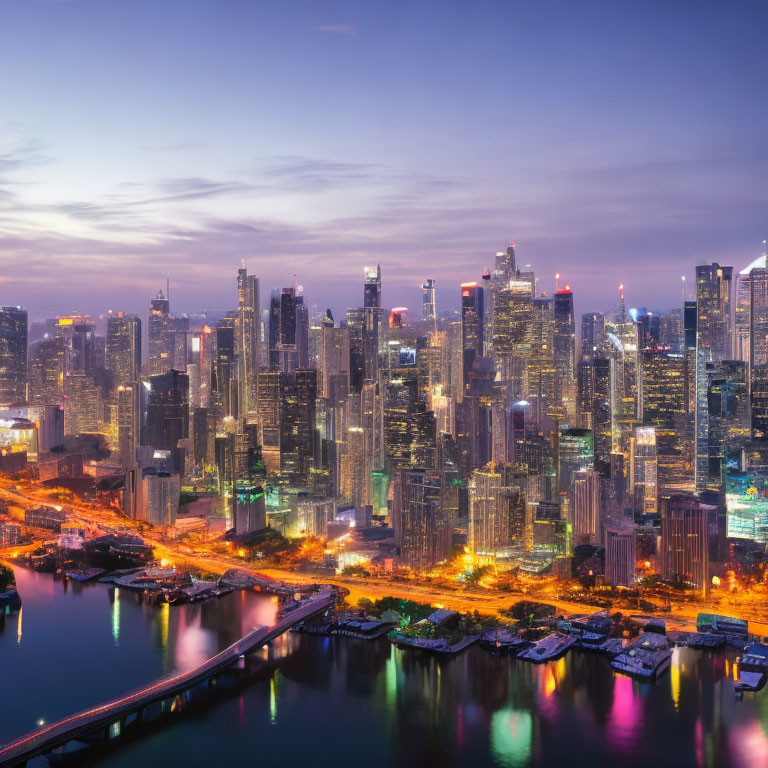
[685,540]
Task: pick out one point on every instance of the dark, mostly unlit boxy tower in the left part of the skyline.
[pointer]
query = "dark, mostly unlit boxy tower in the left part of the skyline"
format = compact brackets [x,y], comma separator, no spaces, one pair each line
[166,425]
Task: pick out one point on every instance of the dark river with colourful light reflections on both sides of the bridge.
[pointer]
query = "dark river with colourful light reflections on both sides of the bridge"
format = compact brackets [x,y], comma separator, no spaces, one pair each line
[337,701]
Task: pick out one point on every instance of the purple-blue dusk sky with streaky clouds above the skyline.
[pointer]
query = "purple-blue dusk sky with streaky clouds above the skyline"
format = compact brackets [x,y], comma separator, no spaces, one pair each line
[613,141]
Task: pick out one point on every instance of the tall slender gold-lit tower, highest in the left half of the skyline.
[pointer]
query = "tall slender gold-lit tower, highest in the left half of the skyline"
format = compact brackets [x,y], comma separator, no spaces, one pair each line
[247,344]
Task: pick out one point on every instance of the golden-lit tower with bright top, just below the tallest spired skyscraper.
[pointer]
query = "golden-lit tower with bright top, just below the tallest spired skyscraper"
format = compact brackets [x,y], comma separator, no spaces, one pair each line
[512,322]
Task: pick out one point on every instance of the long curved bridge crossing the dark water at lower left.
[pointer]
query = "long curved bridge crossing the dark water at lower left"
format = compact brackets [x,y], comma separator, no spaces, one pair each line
[83,725]
